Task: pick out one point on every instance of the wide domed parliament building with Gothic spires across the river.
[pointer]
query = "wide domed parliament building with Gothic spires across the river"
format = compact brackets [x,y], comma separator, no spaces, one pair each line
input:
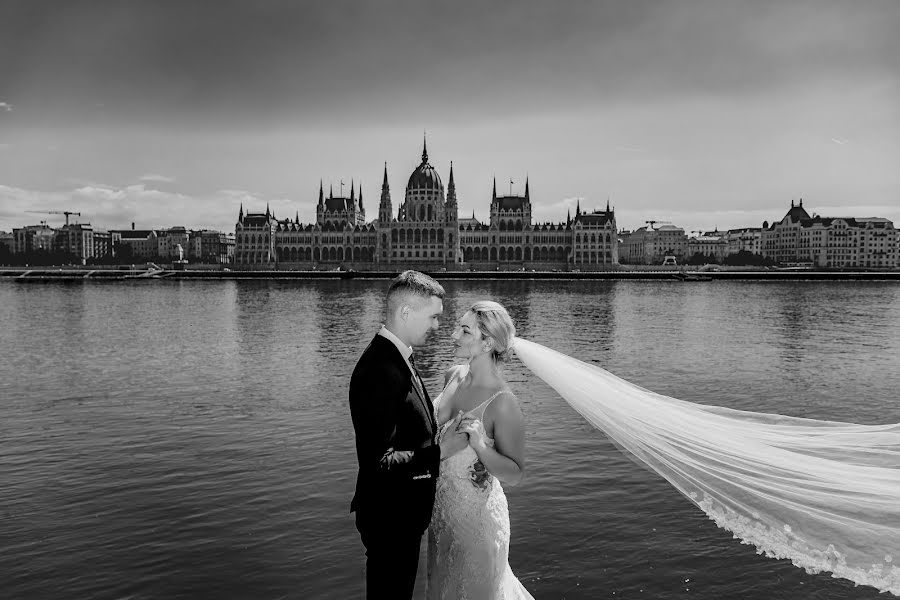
[425,233]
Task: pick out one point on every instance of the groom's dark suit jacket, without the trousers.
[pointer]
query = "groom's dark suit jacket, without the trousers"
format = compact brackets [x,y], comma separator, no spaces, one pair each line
[395,441]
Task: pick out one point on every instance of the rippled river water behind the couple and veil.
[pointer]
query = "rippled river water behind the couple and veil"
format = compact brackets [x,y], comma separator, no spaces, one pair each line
[191,439]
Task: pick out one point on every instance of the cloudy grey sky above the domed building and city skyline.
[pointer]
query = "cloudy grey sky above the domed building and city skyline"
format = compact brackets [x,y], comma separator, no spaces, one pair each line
[706,114]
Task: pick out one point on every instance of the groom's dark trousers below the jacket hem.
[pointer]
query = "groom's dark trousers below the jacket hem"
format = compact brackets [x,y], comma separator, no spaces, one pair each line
[392,559]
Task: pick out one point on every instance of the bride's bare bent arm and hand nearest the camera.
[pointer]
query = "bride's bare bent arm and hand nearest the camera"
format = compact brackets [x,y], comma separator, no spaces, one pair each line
[506,460]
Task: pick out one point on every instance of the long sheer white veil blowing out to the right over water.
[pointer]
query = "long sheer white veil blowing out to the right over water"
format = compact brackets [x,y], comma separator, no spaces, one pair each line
[824,494]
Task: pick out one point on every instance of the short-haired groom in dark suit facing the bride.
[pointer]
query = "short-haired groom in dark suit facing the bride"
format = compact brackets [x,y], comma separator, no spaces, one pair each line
[395,438]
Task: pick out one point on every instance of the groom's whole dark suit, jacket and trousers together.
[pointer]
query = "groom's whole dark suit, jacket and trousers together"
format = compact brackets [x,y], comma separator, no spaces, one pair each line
[398,466]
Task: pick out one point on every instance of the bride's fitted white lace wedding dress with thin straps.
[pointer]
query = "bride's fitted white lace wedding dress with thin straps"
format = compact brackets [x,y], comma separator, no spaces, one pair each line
[468,539]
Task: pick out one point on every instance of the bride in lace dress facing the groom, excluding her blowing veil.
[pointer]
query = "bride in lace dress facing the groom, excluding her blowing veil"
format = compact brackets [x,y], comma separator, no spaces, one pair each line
[468,539]
